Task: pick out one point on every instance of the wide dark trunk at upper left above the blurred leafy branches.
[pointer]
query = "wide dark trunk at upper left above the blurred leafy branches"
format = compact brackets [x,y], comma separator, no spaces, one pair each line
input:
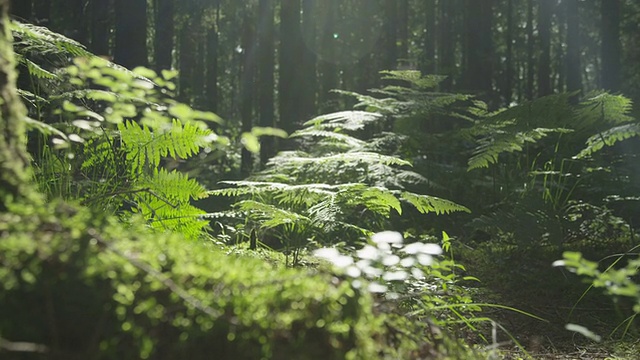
[131,33]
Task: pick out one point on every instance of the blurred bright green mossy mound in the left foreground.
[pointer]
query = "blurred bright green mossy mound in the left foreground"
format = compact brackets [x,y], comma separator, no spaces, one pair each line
[140,294]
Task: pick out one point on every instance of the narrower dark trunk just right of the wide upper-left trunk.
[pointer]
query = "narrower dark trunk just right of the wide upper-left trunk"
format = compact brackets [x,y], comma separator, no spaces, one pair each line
[163,41]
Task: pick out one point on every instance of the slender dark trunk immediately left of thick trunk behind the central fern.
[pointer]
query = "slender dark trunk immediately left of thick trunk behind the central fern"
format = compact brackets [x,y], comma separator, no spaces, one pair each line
[266,63]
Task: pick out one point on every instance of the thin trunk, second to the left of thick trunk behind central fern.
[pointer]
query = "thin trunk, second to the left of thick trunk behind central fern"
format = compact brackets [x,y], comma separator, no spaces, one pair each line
[246,87]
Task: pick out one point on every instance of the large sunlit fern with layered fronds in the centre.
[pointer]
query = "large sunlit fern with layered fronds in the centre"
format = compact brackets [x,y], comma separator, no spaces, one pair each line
[338,187]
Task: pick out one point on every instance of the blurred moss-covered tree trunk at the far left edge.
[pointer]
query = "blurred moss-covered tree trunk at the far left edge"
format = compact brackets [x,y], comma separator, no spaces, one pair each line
[14,177]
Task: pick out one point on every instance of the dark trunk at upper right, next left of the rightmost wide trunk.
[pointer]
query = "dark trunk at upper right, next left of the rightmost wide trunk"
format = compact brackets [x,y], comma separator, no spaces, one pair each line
[574,74]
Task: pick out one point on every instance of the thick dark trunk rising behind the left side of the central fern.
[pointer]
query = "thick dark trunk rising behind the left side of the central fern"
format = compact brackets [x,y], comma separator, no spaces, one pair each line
[290,54]
